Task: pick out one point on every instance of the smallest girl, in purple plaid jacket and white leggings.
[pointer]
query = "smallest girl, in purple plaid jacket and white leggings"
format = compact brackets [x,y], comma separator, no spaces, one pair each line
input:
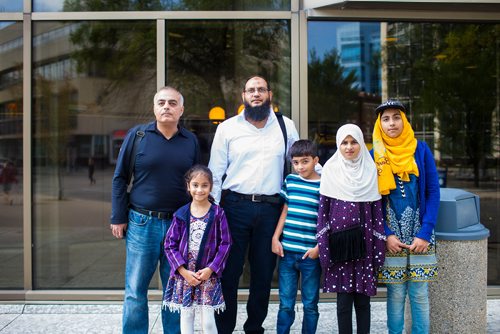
[197,246]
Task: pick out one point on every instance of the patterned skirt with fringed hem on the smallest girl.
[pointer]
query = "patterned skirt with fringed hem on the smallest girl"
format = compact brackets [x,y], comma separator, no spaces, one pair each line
[180,295]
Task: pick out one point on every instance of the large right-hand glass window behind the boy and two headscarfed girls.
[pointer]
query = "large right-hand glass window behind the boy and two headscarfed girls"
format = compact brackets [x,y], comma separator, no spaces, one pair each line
[447,74]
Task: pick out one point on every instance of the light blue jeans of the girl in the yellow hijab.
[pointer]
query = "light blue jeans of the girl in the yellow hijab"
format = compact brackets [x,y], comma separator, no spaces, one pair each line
[419,302]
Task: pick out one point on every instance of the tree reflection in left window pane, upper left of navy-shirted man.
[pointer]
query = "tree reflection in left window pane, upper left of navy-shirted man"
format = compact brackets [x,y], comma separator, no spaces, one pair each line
[123,56]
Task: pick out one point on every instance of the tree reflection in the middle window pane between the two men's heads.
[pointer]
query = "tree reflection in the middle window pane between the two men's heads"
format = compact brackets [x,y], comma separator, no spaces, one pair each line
[209,61]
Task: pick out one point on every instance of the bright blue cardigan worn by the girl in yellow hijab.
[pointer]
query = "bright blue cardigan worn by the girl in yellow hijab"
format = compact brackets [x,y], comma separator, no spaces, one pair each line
[428,191]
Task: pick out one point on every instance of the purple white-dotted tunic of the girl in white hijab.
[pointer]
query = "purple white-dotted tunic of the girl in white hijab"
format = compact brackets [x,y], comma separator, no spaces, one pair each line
[359,275]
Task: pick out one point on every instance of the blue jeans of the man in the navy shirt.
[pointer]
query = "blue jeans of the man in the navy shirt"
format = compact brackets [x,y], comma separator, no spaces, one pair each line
[144,239]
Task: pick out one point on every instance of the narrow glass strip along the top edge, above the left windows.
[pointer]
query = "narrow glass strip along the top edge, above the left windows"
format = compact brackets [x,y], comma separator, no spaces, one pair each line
[157,5]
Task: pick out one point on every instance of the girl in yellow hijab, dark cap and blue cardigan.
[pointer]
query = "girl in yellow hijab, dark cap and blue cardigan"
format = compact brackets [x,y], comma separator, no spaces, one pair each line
[408,181]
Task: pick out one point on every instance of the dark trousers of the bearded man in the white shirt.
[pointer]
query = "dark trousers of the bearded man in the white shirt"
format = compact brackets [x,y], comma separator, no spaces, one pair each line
[252,226]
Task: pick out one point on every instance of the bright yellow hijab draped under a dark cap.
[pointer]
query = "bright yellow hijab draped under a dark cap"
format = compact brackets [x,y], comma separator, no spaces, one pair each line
[394,155]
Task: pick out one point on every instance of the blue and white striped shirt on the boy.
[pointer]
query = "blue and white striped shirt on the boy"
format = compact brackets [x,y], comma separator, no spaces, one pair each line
[302,198]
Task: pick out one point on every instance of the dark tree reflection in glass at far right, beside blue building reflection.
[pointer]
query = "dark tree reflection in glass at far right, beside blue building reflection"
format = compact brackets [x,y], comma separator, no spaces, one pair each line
[448,74]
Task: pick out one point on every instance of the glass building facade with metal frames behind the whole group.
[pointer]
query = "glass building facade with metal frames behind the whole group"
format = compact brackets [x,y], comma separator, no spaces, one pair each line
[76,75]
